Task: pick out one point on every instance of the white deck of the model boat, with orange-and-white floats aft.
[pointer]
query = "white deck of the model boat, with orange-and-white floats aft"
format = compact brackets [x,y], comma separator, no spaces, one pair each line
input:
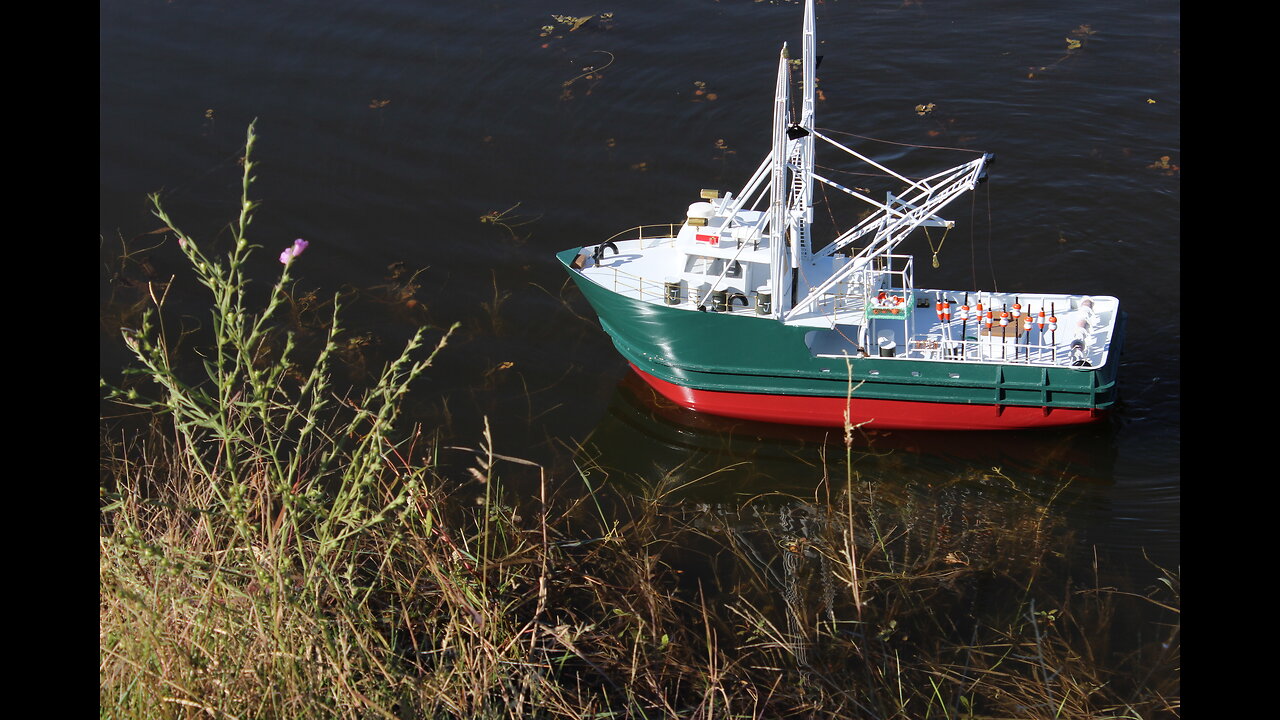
[642,270]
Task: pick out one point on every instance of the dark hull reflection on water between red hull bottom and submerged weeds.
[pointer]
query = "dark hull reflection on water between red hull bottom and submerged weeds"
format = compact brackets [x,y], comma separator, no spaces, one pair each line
[644,439]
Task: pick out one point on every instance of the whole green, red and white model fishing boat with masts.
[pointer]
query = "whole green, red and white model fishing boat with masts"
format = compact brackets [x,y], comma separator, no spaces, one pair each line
[742,312]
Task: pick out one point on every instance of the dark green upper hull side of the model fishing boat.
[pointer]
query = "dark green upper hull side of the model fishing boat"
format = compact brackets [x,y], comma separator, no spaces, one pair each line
[742,353]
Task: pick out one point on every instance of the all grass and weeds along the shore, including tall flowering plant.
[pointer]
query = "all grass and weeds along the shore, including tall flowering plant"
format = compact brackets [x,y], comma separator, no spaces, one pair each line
[275,544]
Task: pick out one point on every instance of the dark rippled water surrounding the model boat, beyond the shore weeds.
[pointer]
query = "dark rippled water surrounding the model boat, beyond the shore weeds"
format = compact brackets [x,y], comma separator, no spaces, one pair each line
[390,130]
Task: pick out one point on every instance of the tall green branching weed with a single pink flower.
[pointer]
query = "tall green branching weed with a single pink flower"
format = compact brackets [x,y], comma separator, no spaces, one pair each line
[296,468]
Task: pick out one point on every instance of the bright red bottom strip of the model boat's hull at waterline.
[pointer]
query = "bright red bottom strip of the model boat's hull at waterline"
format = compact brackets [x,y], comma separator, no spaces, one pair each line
[881,414]
